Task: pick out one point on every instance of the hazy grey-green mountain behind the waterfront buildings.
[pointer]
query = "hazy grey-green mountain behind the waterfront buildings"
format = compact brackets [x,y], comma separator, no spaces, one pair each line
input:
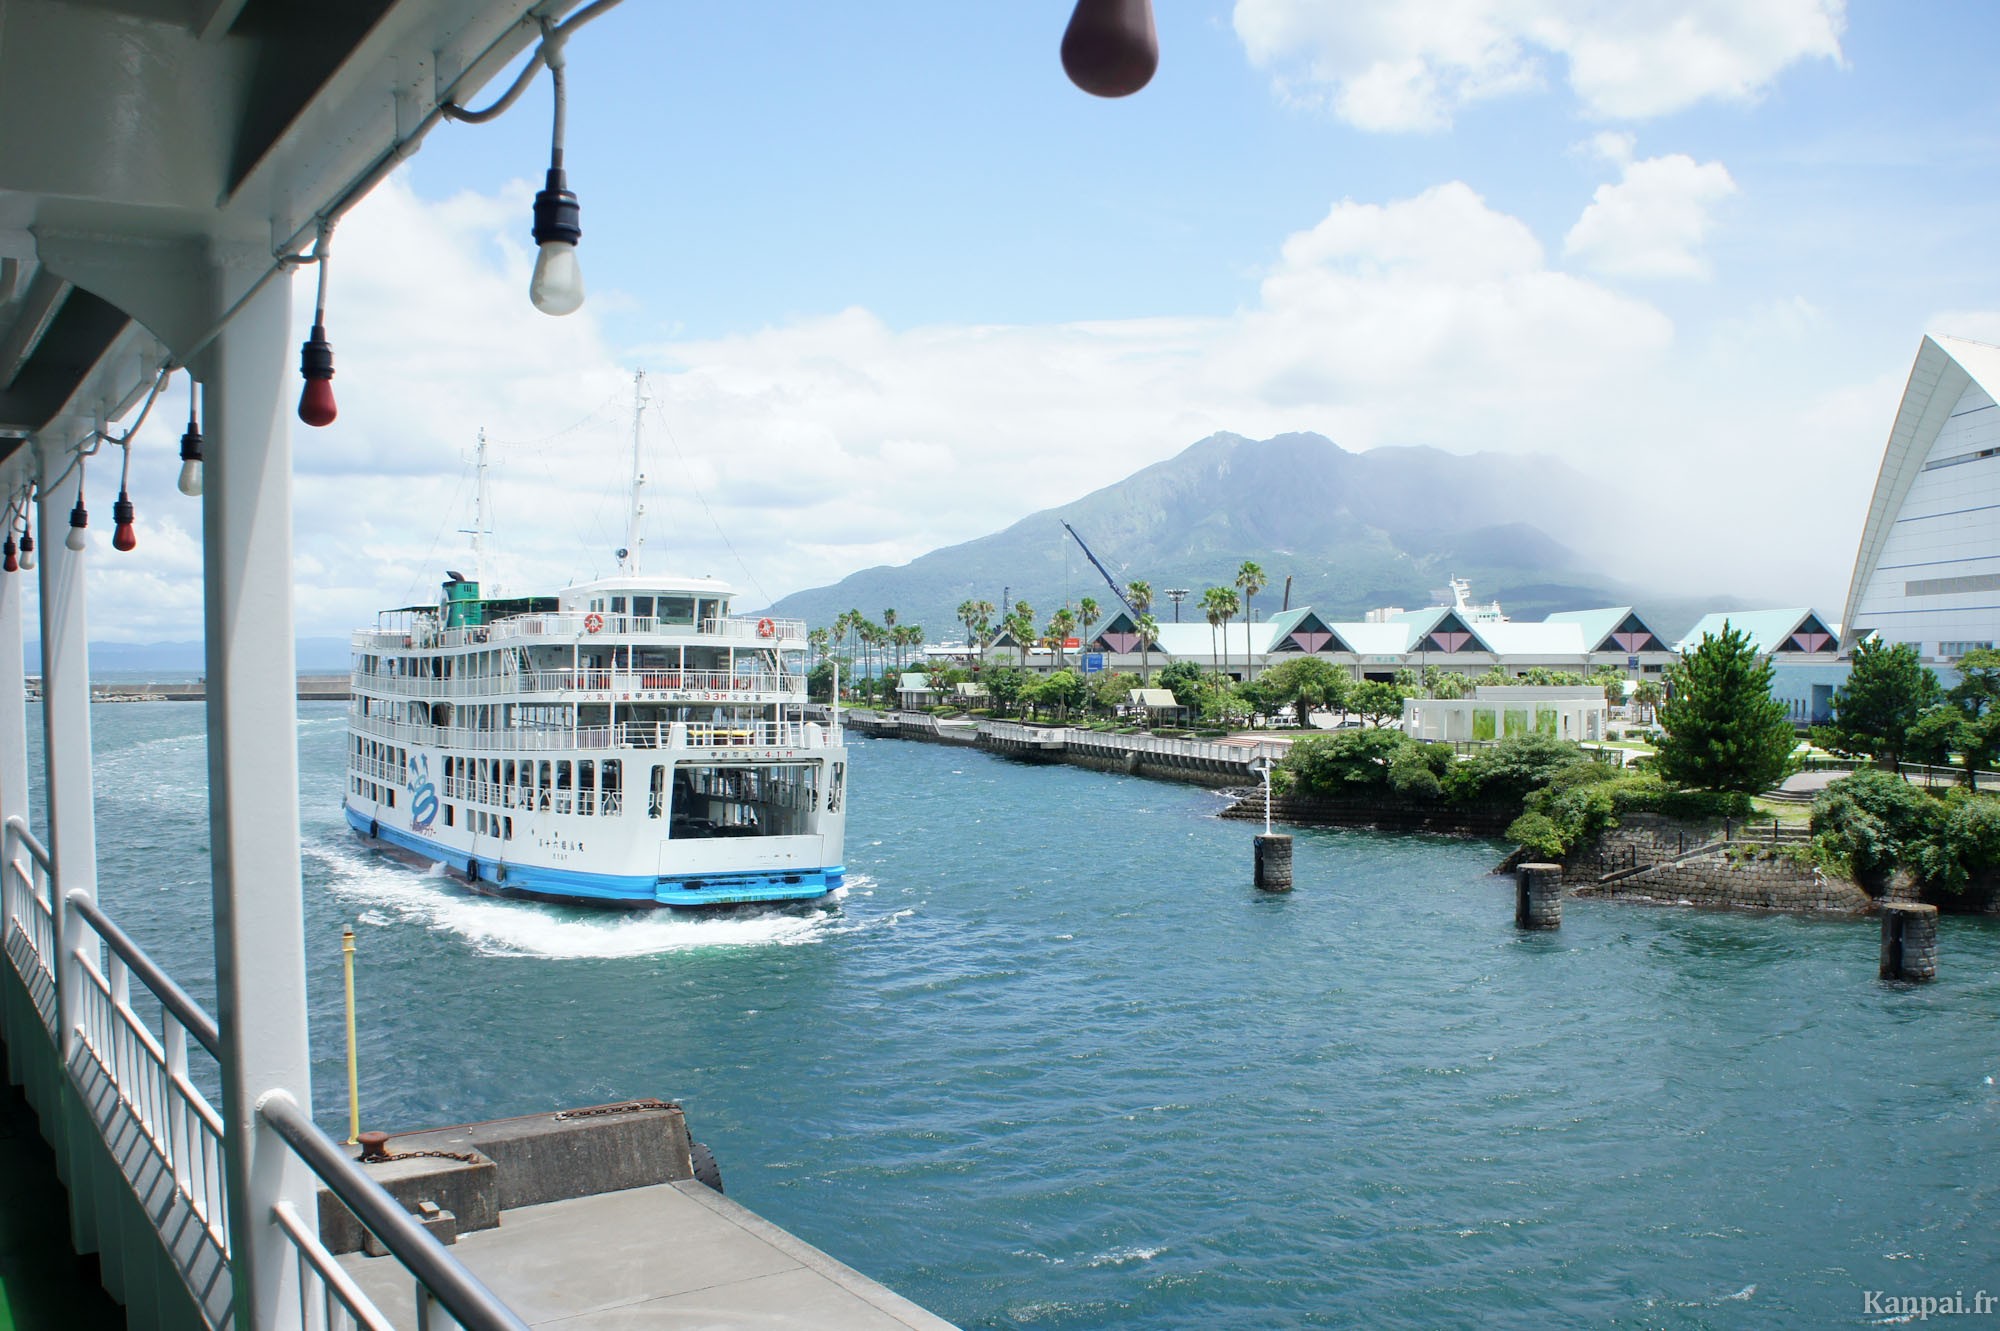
[1353,533]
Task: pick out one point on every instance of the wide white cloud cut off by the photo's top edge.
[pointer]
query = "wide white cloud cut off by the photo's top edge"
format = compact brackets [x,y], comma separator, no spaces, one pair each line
[1385,65]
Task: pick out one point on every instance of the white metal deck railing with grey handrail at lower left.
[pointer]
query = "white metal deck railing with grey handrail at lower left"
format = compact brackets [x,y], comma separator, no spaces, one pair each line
[165,1134]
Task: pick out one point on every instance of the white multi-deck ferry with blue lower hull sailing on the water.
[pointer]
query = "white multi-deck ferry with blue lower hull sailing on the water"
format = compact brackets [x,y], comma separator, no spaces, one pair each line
[627,742]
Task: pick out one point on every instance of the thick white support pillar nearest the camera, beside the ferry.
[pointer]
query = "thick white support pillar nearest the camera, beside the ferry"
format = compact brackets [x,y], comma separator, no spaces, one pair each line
[253,790]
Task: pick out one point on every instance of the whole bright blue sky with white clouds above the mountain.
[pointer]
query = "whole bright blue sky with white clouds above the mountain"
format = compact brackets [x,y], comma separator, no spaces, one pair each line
[899,283]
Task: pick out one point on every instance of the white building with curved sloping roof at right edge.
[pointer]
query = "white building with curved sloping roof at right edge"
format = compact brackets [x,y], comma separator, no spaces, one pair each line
[1929,565]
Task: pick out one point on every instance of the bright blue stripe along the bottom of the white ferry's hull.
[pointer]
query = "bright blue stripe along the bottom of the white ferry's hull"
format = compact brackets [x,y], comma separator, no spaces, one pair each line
[677,890]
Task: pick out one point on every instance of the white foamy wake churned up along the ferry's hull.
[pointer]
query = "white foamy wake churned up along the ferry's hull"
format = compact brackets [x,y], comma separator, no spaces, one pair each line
[397,894]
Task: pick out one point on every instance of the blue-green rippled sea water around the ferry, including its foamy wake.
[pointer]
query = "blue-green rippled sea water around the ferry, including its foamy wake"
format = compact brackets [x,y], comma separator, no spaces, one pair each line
[1051,1062]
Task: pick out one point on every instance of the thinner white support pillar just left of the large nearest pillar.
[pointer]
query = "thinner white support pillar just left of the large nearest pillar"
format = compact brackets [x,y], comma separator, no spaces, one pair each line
[73,826]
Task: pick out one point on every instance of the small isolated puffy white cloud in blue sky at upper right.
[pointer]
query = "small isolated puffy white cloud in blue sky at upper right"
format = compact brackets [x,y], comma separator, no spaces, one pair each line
[1653,223]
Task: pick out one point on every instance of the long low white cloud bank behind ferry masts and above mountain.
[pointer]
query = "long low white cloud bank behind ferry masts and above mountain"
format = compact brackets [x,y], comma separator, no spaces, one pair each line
[795,455]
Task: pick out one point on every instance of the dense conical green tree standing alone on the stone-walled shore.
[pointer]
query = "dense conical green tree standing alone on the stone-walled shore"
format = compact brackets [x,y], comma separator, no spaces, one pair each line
[1723,726]
